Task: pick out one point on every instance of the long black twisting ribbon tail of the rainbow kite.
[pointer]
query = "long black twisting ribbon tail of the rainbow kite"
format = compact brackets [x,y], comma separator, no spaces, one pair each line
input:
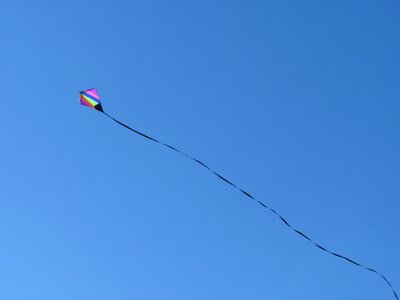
[259,202]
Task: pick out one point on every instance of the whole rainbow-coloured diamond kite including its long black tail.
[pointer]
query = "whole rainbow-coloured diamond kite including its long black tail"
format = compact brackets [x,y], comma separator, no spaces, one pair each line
[91,99]
